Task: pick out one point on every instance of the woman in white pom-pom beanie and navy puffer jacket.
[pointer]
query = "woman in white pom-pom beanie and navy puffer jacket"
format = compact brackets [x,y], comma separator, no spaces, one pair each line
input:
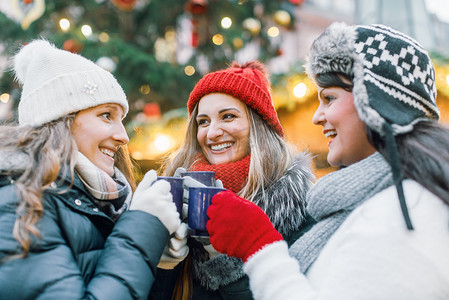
[70,225]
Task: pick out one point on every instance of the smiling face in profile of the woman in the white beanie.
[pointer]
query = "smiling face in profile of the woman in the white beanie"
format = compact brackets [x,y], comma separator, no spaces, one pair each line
[98,132]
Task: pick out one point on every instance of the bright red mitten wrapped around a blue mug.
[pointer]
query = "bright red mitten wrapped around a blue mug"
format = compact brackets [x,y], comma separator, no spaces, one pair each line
[238,227]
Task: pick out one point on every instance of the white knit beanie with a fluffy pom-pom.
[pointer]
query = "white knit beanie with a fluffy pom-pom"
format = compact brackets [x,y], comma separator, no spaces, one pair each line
[57,82]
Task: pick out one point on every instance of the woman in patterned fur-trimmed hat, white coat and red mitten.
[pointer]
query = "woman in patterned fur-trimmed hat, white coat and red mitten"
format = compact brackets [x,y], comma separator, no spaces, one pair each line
[382,221]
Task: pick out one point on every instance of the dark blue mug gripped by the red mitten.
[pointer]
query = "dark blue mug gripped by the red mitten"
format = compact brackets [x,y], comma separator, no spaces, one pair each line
[199,200]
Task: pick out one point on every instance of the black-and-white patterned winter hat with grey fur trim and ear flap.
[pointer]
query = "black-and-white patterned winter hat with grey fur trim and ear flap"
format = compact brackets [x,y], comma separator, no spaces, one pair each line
[393,76]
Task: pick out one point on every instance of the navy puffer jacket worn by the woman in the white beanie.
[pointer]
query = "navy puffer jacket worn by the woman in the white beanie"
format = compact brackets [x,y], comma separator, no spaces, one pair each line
[82,253]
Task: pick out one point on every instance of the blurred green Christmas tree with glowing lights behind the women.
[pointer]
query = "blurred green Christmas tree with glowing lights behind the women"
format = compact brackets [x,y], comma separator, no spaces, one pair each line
[157,49]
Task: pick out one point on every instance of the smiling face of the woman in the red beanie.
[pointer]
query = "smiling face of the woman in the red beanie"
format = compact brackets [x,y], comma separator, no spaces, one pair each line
[223,128]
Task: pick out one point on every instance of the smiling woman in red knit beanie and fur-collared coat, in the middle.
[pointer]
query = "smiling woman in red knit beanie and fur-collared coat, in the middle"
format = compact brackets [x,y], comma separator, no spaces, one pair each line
[234,130]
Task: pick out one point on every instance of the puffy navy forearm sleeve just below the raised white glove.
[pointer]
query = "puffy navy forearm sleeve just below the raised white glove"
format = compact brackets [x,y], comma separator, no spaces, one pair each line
[127,266]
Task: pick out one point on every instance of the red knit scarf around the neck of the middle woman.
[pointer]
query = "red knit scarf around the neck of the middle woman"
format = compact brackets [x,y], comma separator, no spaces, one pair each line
[233,175]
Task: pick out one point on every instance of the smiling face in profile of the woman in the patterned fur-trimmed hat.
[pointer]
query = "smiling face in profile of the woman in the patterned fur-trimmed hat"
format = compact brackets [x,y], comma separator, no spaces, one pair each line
[341,123]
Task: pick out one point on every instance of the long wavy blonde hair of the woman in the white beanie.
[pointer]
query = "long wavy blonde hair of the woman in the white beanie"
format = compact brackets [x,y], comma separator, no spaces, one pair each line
[51,150]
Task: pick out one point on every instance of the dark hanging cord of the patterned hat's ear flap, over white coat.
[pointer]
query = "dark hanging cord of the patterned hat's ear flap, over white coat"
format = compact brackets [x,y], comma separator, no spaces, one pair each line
[395,163]
